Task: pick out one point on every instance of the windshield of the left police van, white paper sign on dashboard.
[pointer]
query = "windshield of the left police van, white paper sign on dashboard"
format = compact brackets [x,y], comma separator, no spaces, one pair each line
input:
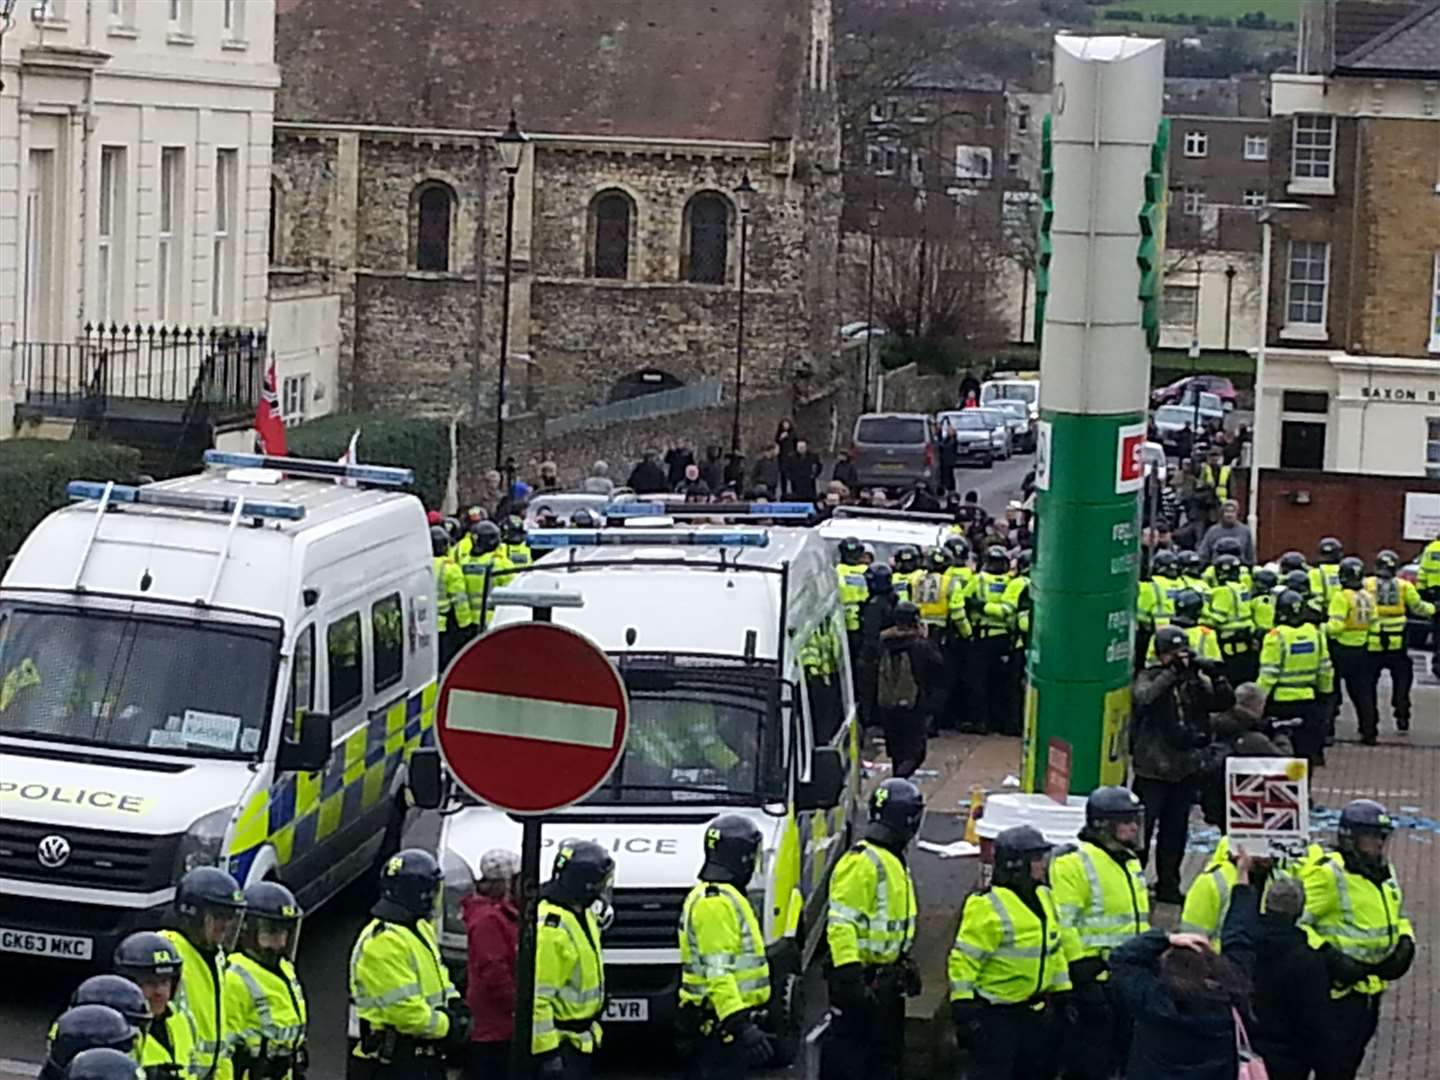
[136,683]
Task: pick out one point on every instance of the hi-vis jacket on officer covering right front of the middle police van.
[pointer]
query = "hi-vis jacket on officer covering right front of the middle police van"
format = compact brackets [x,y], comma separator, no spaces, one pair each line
[722,951]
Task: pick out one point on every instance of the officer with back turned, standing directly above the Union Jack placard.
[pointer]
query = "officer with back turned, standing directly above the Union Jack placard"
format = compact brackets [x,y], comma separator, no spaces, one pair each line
[1295,672]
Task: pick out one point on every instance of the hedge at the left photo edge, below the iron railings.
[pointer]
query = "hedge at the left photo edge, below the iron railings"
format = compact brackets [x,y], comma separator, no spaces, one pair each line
[34,474]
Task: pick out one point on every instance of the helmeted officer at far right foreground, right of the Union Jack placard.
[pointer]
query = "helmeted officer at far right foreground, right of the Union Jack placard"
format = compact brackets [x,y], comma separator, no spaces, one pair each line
[1353,901]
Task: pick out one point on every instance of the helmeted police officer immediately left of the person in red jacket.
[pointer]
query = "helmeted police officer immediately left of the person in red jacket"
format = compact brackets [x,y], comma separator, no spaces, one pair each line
[410,1012]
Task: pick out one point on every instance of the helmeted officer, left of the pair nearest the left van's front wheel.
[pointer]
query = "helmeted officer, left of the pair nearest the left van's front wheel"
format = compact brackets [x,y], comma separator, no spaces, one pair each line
[210,905]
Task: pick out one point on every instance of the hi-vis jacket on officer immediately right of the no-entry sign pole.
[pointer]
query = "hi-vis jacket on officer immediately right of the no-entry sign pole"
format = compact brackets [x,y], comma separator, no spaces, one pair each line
[570,981]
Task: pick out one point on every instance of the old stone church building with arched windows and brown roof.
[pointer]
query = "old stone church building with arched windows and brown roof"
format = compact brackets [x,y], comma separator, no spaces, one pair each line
[643,117]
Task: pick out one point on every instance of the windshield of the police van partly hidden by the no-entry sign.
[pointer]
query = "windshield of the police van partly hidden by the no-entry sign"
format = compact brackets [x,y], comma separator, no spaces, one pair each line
[701,731]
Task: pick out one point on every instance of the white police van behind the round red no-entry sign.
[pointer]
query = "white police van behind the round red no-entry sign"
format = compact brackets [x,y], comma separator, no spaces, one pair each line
[732,646]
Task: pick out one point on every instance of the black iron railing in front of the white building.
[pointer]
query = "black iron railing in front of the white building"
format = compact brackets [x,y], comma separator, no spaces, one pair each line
[224,368]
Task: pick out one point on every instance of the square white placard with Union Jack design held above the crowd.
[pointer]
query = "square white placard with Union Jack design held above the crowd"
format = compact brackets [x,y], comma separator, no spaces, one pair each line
[1268,806]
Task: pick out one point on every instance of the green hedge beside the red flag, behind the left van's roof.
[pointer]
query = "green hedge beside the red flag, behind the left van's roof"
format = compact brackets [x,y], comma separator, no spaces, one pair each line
[385,440]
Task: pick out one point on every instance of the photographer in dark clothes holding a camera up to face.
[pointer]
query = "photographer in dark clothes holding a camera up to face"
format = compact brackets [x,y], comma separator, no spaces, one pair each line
[1170,729]
